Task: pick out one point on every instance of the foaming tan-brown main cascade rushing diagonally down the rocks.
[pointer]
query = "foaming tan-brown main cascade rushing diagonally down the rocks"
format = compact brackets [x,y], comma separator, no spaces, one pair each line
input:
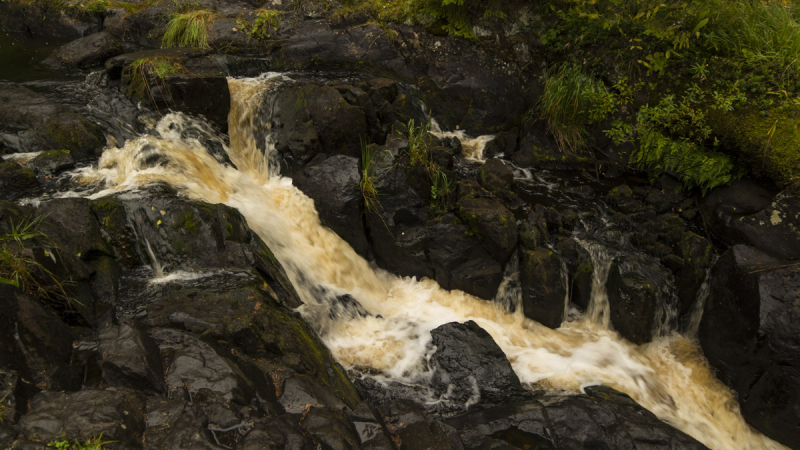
[391,339]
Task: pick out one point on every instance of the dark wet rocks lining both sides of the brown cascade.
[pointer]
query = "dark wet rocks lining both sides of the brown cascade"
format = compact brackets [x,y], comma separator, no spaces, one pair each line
[215,358]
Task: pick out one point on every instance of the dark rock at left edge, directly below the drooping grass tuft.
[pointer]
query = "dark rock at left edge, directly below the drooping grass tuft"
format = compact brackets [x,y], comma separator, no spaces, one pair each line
[33,339]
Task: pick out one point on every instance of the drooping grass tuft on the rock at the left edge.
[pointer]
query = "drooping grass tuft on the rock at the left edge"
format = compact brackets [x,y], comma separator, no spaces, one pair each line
[18,266]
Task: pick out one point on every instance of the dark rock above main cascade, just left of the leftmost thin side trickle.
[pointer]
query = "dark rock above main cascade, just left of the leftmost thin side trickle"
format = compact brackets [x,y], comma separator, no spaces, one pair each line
[459,261]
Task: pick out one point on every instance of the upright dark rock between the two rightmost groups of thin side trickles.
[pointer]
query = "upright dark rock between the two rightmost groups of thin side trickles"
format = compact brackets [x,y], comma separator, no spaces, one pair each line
[633,303]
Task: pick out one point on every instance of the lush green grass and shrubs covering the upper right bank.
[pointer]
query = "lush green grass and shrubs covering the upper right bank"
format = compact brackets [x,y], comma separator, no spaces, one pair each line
[698,88]
